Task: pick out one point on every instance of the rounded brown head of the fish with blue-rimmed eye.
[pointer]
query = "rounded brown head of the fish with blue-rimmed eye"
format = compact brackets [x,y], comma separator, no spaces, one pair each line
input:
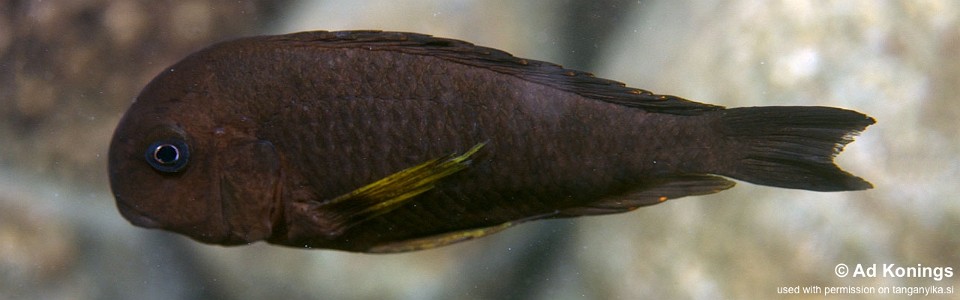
[180,162]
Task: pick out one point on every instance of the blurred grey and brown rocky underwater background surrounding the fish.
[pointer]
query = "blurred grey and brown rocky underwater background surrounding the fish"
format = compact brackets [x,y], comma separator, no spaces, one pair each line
[69,69]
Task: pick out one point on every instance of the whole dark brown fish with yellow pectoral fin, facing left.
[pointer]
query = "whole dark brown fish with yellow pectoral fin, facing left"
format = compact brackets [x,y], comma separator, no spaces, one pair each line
[384,141]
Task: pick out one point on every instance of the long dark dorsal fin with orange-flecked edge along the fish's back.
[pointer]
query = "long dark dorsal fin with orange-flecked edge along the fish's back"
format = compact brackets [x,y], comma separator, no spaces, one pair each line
[553,75]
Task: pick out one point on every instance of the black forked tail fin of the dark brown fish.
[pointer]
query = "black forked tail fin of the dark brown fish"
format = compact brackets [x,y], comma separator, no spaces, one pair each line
[792,147]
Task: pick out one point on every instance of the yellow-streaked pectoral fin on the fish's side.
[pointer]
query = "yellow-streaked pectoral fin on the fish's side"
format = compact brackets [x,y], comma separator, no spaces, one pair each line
[389,193]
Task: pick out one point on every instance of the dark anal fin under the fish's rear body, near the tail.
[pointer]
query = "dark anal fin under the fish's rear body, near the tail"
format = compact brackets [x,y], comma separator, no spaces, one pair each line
[652,192]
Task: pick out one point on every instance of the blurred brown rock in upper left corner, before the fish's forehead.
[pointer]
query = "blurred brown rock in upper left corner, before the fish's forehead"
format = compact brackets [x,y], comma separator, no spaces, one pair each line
[69,68]
